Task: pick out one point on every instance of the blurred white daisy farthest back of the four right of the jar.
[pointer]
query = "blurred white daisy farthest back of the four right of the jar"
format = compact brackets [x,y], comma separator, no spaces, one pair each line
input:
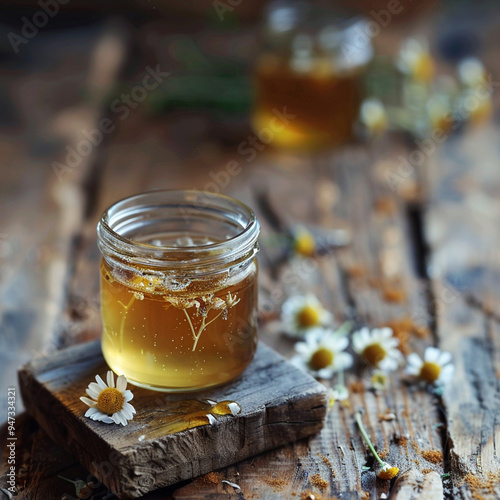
[301,314]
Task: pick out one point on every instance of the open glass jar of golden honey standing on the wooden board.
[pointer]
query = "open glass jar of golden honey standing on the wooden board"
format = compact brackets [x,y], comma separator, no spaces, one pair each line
[178,289]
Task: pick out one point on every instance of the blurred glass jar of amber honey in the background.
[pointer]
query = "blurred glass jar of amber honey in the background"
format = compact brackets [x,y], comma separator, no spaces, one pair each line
[307,75]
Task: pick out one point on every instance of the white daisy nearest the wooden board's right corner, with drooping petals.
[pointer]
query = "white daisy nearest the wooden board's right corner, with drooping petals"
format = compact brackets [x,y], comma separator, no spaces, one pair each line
[322,354]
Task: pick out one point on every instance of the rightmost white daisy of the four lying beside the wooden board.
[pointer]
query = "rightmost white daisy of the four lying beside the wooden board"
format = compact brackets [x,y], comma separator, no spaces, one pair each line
[436,367]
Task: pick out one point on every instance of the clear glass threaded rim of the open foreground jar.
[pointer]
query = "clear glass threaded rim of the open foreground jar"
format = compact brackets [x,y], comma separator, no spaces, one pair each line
[237,247]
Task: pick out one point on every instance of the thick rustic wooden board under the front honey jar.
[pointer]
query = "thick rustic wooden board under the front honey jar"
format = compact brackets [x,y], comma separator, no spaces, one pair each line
[279,404]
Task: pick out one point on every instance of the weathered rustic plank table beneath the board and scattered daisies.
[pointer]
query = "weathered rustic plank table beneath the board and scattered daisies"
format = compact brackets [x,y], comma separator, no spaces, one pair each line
[422,259]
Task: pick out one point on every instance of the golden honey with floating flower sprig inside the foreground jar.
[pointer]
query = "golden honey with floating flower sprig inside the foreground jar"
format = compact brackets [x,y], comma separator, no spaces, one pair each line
[173,327]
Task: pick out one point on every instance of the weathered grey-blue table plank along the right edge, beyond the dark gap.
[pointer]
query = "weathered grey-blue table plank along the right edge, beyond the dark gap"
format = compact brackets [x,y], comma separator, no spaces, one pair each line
[462,233]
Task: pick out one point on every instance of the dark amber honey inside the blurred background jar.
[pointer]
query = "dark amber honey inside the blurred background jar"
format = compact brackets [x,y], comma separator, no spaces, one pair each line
[324,105]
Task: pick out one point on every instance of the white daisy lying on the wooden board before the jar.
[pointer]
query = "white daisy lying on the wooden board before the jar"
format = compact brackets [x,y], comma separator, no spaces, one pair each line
[109,404]
